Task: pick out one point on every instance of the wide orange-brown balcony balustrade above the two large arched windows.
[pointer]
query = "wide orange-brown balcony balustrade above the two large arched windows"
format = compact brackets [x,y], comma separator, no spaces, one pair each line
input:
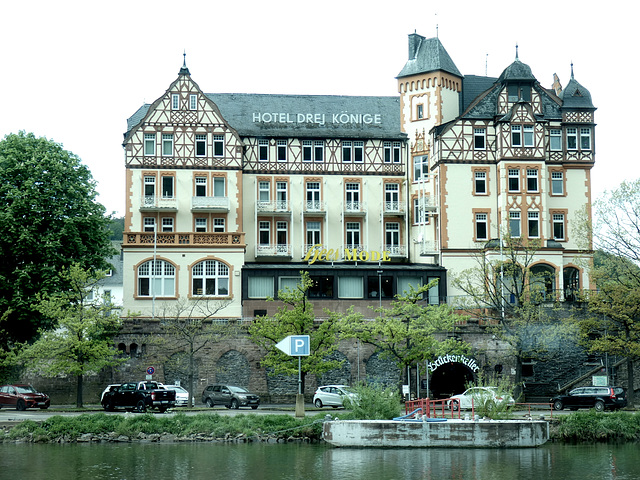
[183,239]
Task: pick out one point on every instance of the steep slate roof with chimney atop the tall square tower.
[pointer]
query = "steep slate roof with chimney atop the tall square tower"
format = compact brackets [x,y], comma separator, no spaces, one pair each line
[427,55]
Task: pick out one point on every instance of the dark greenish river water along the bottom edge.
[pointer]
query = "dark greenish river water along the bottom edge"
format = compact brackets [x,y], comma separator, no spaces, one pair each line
[142,461]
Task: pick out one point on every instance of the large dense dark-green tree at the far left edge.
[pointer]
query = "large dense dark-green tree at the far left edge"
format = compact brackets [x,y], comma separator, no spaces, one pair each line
[49,219]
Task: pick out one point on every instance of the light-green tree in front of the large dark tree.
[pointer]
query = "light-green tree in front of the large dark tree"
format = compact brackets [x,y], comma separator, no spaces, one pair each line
[82,342]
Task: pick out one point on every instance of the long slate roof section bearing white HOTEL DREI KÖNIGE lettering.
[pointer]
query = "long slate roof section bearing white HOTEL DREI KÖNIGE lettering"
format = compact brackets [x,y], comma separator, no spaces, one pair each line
[320,116]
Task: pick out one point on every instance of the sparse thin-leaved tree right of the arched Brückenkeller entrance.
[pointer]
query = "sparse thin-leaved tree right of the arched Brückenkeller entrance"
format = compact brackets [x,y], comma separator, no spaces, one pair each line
[505,291]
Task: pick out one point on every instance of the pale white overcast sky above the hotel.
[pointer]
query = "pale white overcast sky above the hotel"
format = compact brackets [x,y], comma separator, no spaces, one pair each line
[74,71]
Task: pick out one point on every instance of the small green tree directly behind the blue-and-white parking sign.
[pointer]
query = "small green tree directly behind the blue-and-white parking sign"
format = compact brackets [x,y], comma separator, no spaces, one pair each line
[296,317]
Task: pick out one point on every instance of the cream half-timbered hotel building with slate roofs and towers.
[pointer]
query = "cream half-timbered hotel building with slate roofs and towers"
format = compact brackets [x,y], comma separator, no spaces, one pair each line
[230,196]
